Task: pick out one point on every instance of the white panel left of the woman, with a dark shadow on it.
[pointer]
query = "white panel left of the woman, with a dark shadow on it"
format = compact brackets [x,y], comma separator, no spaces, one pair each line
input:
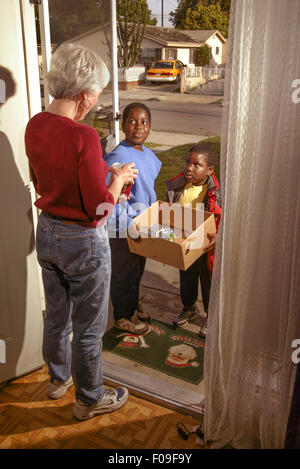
[20,295]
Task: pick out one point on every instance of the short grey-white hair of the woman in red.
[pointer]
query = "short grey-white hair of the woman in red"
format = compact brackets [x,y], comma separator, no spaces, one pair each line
[75,68]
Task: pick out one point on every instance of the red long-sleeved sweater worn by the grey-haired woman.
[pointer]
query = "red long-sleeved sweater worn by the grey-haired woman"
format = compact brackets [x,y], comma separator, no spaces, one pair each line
[67,168]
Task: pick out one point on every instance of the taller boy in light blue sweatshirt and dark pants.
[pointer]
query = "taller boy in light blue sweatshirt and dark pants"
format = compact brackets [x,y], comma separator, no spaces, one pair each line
[128,268]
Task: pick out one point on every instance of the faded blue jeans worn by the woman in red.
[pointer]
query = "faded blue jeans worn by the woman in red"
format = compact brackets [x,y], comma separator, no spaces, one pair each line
[75,264]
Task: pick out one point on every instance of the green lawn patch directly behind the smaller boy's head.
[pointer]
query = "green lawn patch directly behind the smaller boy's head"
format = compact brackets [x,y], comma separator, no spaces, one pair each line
[173,163]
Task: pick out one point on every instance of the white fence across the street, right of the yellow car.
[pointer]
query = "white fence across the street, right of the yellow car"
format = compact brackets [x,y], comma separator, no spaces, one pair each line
[192,79]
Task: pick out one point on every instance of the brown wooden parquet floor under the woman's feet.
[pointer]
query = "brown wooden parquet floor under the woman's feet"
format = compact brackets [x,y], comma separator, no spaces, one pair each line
[29,420]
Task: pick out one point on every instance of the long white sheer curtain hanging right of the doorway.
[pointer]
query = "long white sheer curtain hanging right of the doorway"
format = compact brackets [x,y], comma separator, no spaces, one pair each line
[254,313]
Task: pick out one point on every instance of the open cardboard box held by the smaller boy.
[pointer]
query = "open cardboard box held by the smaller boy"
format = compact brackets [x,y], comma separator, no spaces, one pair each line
[184,246]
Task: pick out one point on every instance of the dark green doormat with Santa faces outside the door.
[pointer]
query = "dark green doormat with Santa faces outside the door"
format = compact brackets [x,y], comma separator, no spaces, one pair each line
[176,352]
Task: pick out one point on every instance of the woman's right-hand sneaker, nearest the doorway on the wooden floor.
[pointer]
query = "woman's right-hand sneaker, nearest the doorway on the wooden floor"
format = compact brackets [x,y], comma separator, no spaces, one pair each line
[113,399]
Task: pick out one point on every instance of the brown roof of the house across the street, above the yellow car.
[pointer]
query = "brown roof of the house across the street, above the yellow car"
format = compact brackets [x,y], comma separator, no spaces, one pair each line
[171,36]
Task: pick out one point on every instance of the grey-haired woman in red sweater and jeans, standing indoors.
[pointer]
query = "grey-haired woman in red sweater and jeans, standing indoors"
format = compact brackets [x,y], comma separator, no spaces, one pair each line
[69,174]
